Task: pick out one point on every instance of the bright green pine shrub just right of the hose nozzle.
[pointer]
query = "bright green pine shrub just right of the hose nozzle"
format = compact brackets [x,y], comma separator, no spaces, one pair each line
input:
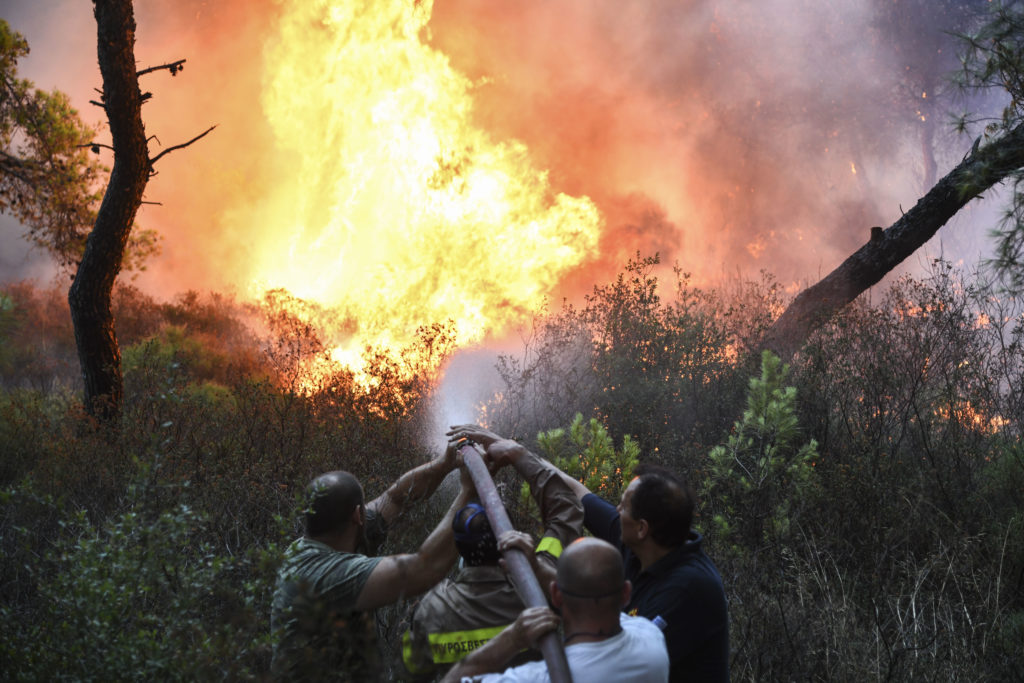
[589,456]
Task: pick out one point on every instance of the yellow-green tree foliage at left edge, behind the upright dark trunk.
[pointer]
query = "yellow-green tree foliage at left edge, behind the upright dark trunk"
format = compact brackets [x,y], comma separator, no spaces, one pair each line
[49,182]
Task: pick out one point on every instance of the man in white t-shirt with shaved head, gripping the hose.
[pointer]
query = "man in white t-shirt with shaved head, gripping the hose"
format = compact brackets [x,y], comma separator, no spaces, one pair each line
[602,644]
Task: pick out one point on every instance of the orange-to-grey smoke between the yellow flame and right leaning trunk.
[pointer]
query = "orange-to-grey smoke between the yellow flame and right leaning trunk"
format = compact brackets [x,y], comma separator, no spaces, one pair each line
[728,136]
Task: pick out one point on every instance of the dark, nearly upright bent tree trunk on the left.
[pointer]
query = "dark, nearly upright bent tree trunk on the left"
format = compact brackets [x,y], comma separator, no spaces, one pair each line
[90,296]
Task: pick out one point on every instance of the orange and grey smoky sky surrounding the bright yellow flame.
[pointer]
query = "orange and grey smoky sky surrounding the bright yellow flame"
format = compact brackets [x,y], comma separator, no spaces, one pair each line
[729,138]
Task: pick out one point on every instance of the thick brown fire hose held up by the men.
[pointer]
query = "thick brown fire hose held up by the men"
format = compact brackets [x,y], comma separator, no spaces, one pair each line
[517,562]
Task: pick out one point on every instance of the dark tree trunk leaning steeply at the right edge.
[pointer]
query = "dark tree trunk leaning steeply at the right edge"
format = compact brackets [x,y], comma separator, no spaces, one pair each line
[982,169]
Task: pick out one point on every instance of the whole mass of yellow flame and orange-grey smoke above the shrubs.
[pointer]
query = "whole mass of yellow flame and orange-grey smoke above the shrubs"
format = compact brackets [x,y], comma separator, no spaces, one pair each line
[390,161]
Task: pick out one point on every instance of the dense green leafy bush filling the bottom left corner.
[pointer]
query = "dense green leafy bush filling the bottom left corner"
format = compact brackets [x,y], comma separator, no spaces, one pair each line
[140,595]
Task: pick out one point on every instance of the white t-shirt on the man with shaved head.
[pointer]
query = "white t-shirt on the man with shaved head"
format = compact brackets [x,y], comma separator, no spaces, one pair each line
[637,655]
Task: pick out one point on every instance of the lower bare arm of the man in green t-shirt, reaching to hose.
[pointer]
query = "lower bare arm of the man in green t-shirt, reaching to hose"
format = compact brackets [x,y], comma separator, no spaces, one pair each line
[399,577]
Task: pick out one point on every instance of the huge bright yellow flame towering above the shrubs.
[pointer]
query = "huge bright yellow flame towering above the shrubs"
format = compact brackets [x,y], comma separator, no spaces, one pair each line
[390,204]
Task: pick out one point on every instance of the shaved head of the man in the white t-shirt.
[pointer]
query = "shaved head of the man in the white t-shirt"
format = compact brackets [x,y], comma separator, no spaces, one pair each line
[590,571]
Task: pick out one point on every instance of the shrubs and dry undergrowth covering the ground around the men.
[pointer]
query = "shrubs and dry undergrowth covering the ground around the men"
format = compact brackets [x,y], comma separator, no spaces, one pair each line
[901,557]
